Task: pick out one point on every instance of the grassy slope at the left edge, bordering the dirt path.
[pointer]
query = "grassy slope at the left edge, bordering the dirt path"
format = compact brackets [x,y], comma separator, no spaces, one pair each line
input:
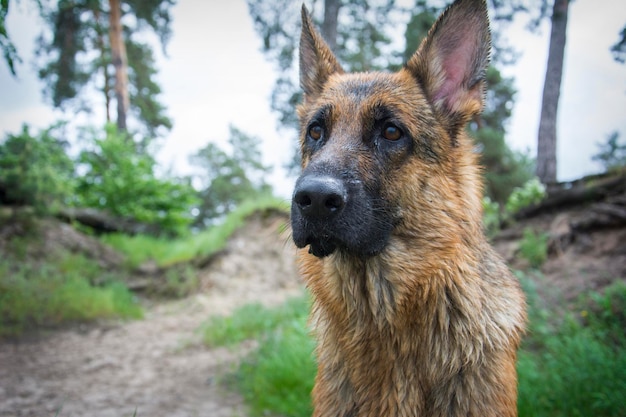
[59,290]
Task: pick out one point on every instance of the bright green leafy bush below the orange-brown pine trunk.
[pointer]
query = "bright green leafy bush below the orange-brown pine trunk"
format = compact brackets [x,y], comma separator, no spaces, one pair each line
[122,181]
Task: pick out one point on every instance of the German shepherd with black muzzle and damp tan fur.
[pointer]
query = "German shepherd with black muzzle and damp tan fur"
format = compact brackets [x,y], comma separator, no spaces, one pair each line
[414,312]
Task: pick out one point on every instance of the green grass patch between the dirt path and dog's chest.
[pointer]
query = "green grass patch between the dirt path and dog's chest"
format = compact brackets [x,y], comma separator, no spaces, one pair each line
[277,378]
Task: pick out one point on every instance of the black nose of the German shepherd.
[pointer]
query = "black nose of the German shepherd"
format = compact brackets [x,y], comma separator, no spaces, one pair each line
[319,197]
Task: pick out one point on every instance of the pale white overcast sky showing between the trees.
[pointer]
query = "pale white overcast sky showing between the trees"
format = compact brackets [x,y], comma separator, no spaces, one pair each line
[215,75]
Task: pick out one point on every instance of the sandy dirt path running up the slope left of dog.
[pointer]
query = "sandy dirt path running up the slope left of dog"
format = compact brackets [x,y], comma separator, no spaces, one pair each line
[156,366]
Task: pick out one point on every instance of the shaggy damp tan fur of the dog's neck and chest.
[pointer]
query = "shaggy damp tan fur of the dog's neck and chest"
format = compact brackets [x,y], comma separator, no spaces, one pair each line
[440,341]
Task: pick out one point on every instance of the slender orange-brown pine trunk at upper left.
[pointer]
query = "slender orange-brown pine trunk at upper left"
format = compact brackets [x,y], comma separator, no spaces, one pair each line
[118,52]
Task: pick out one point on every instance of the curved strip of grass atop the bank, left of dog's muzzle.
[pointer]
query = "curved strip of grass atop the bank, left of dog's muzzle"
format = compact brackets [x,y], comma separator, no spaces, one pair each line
[167,252]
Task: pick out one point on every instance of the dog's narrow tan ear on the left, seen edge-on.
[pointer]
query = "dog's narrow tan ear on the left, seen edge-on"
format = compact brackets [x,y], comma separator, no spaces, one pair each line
[317,61]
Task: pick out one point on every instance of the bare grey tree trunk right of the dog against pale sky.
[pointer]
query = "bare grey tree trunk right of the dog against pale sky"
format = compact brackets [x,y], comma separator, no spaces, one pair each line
[546,140]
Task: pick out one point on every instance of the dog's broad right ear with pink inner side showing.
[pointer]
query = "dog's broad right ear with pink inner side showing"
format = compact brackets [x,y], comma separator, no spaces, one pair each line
[452,60]
